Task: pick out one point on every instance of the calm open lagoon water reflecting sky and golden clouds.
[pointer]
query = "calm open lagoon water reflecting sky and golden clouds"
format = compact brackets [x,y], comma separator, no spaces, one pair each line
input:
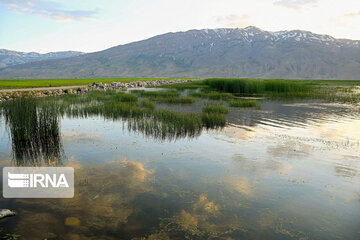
[285,171]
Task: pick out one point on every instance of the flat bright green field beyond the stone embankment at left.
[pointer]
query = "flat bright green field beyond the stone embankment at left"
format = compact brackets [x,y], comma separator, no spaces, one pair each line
[37,83]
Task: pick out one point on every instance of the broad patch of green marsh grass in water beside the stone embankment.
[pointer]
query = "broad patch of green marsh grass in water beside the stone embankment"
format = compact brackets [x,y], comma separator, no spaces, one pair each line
[139,115]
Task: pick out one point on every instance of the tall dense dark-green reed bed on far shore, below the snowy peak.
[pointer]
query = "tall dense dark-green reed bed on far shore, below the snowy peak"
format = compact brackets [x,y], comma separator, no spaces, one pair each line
[258,86]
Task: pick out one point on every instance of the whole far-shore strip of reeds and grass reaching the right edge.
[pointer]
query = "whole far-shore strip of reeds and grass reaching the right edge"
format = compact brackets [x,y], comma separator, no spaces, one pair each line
[347,91]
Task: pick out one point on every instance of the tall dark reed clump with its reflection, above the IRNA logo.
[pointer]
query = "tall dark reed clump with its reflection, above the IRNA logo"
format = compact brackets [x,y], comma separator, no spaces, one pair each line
[34,132]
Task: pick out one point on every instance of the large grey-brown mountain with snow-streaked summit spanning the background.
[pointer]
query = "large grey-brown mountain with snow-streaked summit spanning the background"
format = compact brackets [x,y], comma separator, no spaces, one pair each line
[247,52]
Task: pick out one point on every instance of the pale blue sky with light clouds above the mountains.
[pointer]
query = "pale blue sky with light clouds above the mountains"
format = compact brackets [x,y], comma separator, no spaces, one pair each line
[93,25]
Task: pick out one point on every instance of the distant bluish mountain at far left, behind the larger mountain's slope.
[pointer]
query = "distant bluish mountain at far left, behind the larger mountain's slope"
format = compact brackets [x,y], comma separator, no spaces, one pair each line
[10,58]
